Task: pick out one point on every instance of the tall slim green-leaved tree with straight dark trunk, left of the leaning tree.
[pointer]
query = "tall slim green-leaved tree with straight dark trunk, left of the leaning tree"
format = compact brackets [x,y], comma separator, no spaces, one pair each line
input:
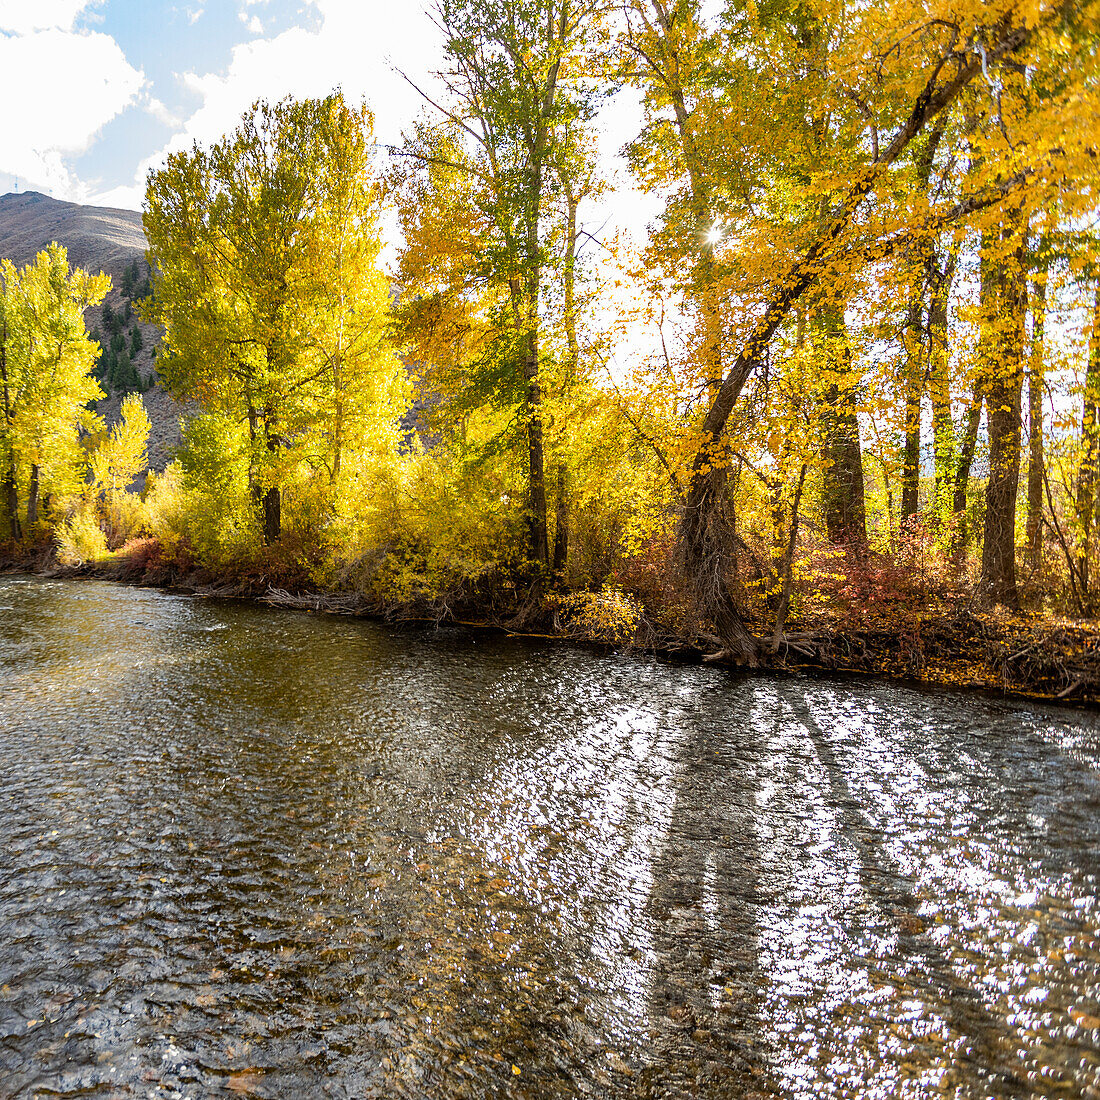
[515,98]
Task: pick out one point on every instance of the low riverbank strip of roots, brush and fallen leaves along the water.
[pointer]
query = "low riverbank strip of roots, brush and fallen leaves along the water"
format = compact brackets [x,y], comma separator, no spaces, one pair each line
[1026,656]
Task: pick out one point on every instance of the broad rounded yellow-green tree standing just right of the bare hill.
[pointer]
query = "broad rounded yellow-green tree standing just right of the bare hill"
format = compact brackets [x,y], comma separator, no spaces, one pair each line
[265,251]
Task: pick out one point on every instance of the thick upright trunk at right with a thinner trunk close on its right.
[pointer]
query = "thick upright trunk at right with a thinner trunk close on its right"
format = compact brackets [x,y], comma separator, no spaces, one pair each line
[998,584]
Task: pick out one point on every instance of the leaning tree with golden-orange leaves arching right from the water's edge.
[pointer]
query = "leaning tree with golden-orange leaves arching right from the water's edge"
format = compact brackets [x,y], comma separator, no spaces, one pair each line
[904,69]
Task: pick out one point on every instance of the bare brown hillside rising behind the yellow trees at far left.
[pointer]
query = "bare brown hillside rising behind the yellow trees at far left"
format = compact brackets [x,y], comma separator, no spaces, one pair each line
[97,239]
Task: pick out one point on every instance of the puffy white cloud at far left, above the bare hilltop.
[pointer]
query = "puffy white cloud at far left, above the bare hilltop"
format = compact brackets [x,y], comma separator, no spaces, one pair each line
[62,118]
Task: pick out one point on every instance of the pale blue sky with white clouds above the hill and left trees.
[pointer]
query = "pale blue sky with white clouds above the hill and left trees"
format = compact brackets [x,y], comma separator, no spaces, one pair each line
[102,91]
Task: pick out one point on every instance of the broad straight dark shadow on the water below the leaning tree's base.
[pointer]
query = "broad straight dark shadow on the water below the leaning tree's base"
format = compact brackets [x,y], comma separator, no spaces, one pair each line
[701,917]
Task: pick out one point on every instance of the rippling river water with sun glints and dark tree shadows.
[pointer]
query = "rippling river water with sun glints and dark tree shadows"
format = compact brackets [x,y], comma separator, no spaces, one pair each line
[257,853]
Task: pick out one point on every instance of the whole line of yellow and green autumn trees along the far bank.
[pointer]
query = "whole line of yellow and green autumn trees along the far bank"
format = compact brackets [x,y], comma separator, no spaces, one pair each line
[853,369]
